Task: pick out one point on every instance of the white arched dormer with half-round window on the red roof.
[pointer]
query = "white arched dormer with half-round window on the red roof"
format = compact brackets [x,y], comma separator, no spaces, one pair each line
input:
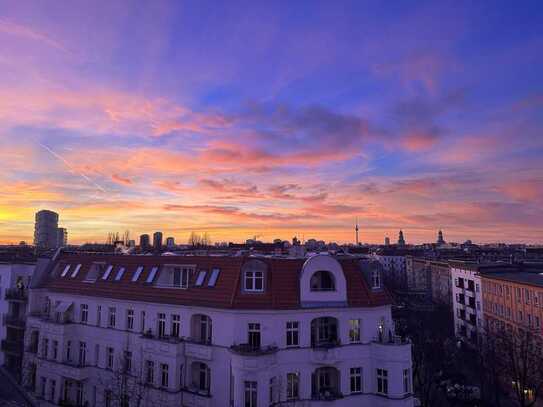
[322,282]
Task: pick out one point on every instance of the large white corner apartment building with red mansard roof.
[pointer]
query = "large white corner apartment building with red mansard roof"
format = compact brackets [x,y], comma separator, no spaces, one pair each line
[191,331]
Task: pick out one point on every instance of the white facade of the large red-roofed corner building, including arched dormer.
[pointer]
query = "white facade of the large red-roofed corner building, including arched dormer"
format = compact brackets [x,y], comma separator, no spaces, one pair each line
[218,357]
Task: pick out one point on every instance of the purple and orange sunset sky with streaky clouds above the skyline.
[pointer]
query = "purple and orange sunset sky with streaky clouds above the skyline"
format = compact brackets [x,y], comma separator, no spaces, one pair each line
[273,119]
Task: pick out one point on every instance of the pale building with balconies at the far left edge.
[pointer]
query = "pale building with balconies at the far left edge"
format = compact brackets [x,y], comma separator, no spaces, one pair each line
[14,281]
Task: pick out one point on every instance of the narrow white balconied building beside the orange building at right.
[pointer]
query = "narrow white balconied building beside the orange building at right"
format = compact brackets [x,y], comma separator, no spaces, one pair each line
[467,301]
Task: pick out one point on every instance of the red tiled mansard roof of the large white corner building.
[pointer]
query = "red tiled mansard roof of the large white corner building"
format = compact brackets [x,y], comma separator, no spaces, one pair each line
[282,285]
